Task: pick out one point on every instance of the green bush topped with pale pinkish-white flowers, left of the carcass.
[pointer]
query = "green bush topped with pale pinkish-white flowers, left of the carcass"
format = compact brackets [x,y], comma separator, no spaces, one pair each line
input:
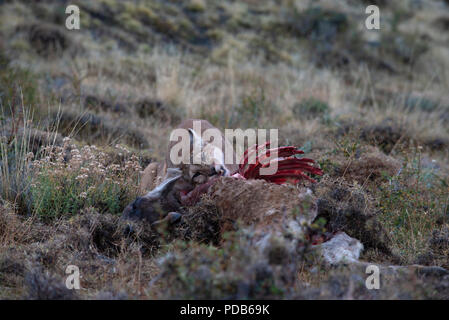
[69,179]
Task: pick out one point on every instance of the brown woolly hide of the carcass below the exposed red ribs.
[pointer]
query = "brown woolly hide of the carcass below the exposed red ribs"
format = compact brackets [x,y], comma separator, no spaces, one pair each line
[263,205]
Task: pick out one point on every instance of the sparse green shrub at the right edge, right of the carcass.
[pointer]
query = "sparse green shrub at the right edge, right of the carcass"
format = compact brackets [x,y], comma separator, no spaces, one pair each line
[411,204]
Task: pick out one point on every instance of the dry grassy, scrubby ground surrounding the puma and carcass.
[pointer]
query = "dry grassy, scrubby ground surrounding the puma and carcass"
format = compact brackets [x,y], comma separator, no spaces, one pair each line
[370,107]
